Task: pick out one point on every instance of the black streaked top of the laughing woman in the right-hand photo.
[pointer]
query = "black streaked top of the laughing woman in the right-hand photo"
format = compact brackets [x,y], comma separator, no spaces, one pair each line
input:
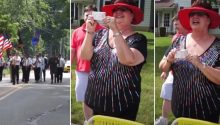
[194,95]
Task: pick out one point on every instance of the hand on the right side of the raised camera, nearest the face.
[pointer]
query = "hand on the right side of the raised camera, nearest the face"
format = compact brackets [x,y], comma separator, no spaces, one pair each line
[110,22]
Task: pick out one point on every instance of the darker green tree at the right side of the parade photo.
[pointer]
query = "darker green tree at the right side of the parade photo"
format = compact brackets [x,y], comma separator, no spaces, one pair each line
[59,25]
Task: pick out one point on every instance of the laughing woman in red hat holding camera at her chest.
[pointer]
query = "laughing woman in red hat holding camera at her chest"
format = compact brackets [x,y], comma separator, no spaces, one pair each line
[196,90]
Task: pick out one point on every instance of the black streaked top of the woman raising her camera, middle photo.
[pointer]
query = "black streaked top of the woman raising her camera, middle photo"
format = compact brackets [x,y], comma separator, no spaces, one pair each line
[113,87]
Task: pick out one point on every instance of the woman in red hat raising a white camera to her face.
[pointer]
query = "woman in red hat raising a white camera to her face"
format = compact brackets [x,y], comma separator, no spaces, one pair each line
[117,55]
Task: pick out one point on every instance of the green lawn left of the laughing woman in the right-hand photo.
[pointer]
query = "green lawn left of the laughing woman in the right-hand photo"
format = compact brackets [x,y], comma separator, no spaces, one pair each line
[161,44]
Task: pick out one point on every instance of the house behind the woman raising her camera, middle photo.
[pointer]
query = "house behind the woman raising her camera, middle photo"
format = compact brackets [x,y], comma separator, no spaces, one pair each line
[147,6]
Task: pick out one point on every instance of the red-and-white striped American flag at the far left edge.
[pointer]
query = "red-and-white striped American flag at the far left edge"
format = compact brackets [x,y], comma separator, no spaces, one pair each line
[4,44]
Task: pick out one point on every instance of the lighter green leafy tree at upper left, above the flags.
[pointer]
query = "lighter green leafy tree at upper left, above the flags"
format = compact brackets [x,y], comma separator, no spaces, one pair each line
[19,14]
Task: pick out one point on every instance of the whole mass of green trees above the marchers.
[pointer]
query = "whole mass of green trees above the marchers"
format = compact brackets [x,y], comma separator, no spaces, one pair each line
[22,18]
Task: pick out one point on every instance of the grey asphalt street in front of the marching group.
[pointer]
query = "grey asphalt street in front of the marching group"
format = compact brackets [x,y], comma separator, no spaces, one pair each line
[33,103]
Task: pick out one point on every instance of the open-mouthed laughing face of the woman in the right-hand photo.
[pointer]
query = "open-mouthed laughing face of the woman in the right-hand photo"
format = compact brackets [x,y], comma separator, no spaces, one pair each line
[199,20]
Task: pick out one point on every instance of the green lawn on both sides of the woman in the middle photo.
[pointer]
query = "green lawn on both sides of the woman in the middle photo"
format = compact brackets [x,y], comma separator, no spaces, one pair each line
[146,108]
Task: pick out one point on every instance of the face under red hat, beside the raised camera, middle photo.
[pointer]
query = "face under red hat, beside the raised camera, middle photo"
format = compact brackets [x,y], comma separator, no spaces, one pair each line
[123,15]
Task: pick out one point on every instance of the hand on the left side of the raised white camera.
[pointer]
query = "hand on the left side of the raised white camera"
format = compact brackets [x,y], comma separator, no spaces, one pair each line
[91,24]
